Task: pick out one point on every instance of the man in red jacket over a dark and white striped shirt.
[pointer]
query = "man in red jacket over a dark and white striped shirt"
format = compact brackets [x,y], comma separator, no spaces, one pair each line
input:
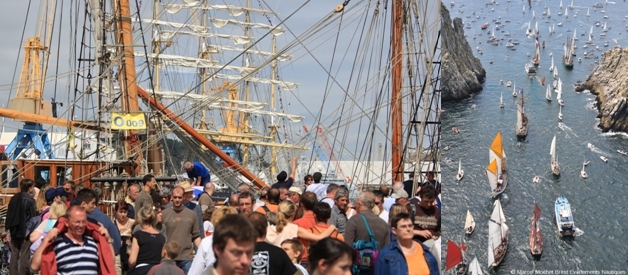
[75,245]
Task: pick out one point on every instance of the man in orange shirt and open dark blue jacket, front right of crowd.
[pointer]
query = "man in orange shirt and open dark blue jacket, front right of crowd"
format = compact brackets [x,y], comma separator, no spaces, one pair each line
[405,256]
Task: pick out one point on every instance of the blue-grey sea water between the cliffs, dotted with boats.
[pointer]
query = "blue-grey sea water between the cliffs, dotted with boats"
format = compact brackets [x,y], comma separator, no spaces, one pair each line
[598,202]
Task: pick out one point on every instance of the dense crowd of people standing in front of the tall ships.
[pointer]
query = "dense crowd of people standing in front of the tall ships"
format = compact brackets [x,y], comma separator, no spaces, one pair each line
[286,229]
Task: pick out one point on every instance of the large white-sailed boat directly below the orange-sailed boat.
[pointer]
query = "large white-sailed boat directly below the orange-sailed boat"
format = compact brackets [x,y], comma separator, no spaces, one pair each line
[497,236]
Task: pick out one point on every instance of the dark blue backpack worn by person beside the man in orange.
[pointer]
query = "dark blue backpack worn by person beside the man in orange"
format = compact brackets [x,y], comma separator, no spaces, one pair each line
[367,251]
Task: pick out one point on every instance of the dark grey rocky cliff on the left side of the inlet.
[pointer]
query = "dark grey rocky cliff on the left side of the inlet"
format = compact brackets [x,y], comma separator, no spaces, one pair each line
[462,73]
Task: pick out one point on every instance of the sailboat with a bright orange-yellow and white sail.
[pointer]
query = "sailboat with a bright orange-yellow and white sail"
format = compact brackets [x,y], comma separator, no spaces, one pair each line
[497,171]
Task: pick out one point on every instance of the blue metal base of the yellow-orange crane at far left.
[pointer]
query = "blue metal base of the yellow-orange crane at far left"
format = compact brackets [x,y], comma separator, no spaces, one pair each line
[32,135]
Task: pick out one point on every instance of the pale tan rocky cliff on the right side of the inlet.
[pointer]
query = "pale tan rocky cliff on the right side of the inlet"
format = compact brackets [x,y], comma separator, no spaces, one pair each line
[609,81]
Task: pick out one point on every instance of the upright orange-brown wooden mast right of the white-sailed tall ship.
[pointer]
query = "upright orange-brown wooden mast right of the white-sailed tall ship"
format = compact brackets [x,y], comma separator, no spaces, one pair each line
[396,104]
